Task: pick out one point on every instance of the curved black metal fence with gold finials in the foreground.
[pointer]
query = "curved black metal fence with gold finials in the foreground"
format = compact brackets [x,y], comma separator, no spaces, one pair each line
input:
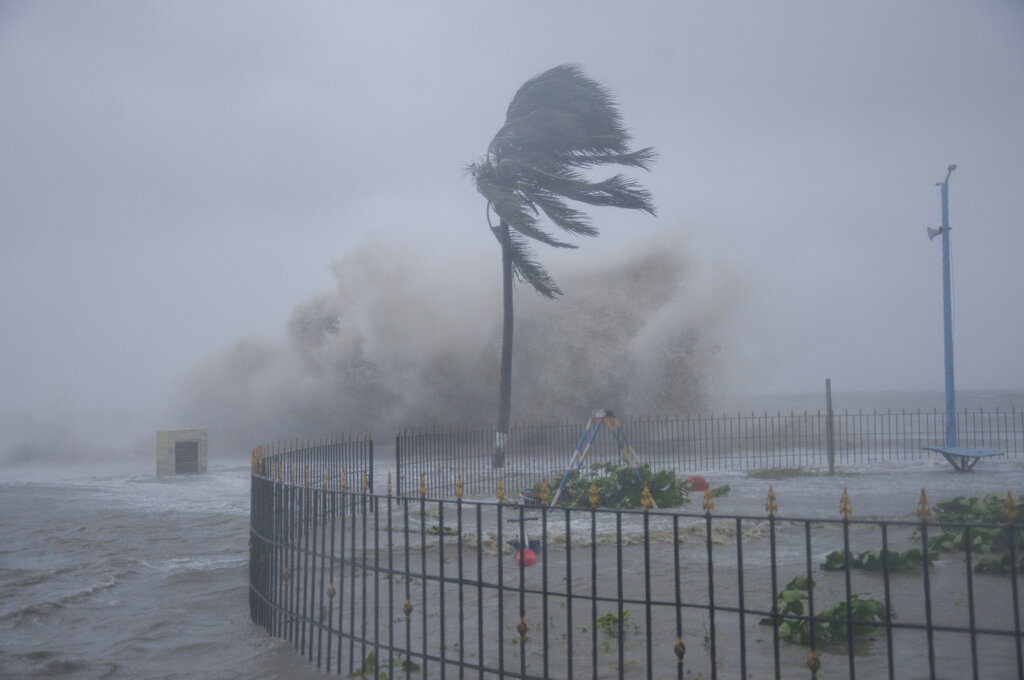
[376,585]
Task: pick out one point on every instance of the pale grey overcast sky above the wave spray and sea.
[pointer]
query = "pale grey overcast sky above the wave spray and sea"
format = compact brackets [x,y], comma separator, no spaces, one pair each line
[176,177]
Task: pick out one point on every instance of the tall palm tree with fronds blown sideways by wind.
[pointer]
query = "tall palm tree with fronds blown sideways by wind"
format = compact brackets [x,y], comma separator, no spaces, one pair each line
[560,125]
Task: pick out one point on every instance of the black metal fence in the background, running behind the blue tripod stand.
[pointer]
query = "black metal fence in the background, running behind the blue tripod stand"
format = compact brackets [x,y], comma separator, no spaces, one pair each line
[697,444]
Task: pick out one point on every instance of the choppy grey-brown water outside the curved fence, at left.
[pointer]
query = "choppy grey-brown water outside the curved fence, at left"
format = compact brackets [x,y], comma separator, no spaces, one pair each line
[130,576]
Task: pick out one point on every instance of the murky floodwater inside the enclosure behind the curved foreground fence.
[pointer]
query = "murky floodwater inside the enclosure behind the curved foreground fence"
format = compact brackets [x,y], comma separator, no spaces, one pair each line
[612,594]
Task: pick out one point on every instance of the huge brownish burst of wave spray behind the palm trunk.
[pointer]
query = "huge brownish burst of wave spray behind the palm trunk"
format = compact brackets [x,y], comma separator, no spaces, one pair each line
[396,347]
